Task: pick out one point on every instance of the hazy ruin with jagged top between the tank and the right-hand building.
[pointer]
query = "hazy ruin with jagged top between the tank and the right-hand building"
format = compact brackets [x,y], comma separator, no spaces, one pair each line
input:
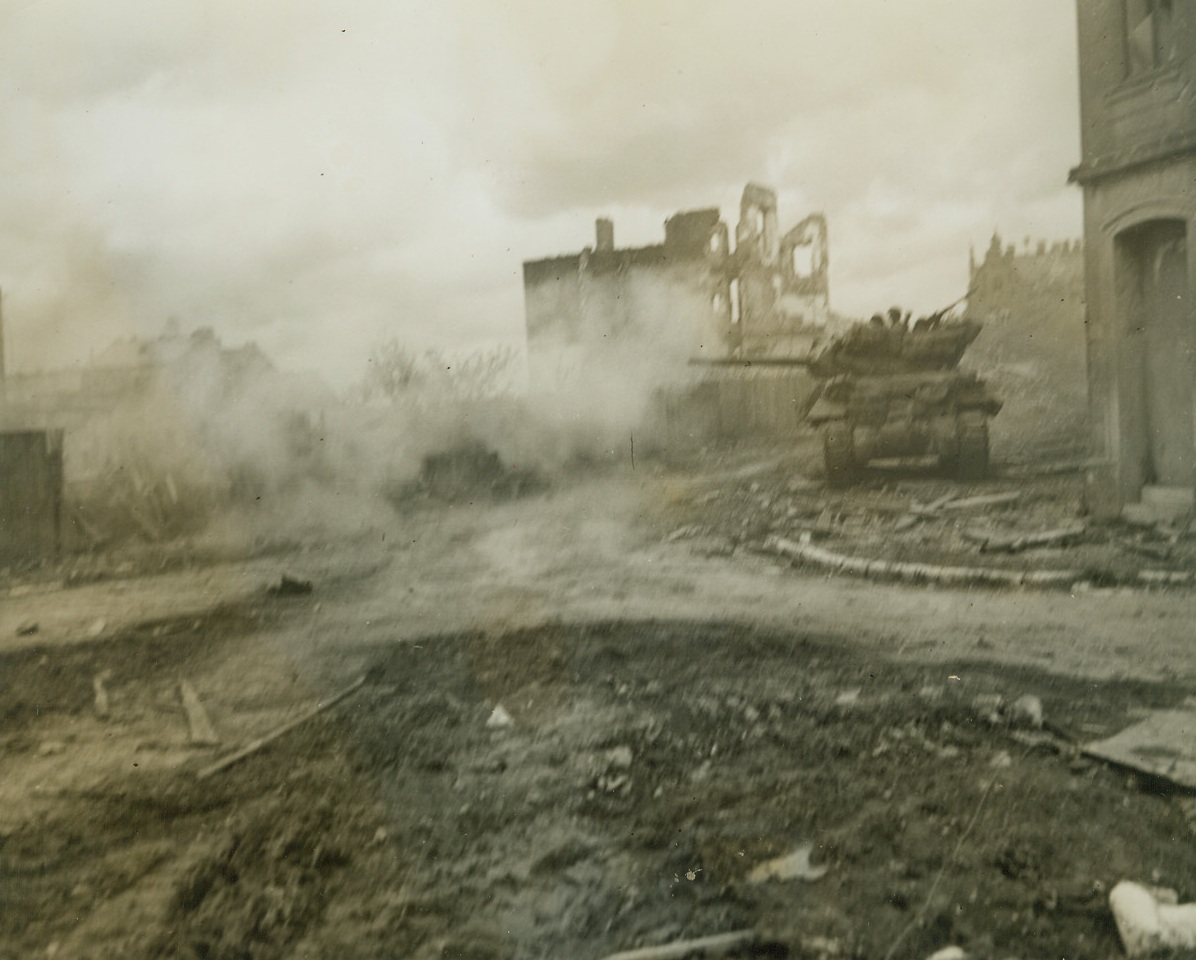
[1030,299]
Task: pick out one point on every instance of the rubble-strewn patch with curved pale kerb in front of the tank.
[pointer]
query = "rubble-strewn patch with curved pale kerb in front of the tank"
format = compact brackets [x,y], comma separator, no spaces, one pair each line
[1020,529]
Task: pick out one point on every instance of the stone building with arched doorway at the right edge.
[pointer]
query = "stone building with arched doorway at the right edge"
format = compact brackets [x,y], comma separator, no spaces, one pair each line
[1138,172]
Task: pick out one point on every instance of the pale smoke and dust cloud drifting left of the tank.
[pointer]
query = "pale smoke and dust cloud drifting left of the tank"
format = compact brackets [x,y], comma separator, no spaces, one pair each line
[187,438]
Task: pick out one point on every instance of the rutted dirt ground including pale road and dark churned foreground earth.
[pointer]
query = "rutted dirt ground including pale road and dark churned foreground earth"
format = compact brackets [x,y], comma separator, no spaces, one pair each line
[679,716]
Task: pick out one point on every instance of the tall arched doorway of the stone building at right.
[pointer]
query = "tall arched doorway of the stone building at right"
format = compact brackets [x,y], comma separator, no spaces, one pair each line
[1162,337]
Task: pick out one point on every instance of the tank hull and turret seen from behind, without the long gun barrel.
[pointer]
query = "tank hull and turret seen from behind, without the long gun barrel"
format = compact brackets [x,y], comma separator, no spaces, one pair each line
[894,390]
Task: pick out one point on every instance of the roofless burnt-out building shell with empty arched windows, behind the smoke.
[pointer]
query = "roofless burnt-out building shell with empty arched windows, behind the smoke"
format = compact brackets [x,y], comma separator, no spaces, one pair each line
[694,296]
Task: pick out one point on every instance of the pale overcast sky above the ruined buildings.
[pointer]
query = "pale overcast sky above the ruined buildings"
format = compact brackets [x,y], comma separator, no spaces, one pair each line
[318,175]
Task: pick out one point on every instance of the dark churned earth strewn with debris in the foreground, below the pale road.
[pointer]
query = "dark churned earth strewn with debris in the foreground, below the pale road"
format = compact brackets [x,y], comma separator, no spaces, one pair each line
[654,791]
